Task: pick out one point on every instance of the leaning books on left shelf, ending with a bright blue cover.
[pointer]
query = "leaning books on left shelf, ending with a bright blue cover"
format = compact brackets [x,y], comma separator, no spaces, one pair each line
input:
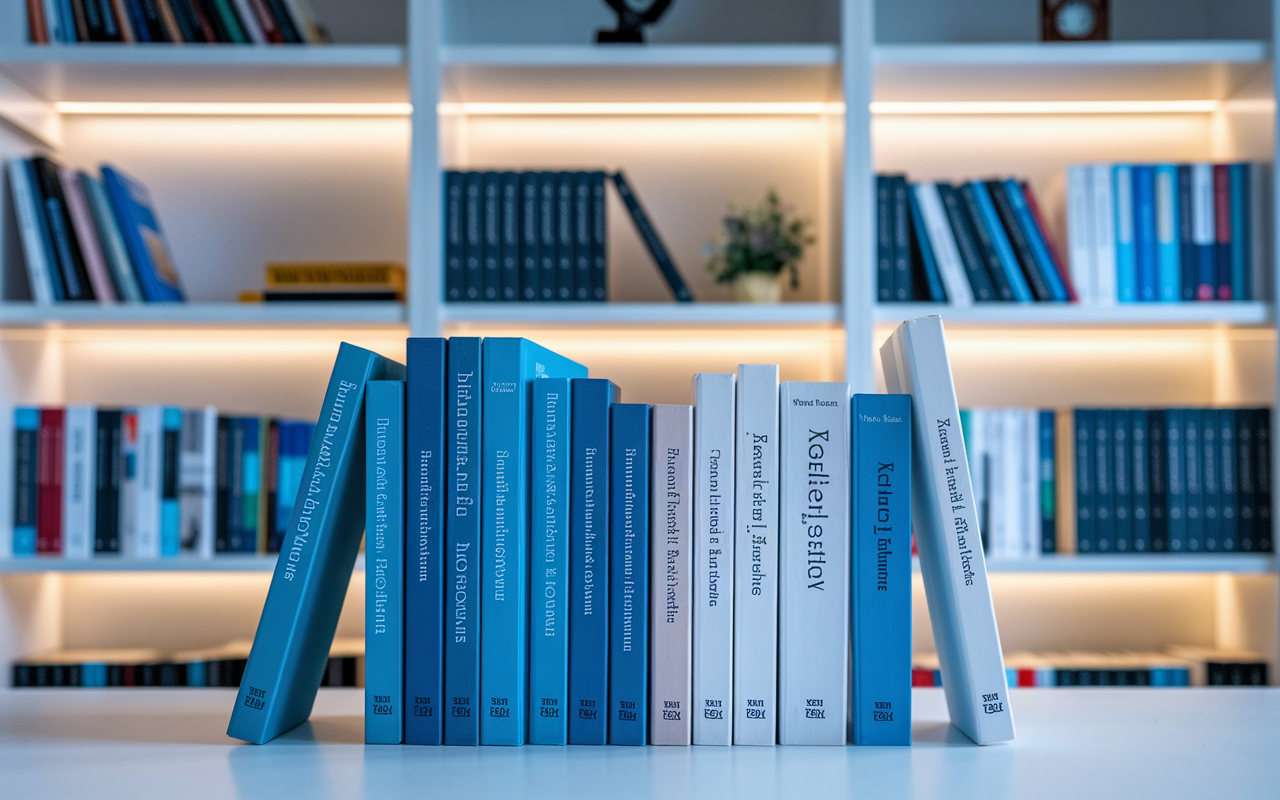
[88,237]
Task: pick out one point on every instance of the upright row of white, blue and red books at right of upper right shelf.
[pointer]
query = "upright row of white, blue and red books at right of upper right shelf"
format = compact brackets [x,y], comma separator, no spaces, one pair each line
[1168,232]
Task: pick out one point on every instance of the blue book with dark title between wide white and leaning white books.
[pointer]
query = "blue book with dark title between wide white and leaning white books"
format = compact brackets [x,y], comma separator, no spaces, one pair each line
[881,598]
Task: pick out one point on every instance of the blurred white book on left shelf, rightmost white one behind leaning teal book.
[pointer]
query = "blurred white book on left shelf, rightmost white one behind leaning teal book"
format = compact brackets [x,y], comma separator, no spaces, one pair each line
[198,477]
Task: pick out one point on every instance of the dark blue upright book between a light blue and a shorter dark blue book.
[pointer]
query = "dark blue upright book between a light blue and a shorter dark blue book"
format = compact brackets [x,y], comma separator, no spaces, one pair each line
[589,563]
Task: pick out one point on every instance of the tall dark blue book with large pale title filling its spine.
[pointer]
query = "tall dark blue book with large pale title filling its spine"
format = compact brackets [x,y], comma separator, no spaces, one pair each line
[463,427]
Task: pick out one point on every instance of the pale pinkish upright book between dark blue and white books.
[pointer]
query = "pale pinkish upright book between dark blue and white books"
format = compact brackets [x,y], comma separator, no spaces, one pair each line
[671,609]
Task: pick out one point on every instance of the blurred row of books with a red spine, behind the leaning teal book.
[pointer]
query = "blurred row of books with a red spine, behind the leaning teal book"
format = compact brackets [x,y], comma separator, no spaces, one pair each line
[153,482]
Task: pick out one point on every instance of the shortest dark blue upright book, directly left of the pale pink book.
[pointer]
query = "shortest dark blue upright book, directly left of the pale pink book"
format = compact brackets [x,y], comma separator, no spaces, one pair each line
[629,574]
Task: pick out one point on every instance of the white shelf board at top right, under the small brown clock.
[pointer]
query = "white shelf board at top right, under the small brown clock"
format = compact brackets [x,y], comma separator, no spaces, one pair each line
[1067,71]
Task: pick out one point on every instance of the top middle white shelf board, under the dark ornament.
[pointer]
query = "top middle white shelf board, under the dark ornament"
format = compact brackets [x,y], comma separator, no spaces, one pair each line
[655,74]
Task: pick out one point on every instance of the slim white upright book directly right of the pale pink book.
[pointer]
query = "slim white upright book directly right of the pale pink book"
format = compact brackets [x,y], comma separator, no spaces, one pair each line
[715,397]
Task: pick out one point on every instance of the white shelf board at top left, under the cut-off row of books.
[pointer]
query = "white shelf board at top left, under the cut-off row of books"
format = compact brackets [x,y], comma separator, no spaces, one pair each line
[211,74]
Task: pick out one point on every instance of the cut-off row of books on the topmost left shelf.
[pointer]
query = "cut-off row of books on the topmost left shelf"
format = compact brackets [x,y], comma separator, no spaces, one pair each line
[241,22]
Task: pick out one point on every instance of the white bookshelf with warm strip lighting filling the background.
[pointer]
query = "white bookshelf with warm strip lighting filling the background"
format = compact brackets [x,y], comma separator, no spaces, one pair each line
[335,153]
